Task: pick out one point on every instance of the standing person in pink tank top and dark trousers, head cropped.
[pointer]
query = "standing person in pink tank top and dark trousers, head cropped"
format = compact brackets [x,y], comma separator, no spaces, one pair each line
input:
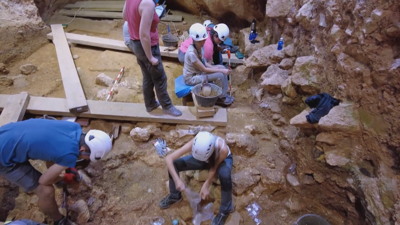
[142,26]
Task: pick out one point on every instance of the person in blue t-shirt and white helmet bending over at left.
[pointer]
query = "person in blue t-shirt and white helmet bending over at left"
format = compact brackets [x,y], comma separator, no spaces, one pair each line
[61,142]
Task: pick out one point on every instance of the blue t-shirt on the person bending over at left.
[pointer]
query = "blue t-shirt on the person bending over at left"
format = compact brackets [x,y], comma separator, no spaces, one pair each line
[48,140]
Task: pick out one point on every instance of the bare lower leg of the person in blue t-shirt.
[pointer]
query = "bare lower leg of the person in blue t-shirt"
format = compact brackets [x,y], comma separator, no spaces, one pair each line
[47,202]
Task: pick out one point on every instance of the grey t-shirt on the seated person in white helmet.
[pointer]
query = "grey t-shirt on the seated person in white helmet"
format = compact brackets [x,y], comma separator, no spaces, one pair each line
[189,69]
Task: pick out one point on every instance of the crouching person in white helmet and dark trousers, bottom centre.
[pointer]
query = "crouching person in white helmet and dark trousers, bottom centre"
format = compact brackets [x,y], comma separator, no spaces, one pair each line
[208,152]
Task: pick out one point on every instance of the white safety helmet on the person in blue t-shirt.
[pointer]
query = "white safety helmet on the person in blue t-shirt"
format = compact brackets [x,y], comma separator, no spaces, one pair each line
[99,144]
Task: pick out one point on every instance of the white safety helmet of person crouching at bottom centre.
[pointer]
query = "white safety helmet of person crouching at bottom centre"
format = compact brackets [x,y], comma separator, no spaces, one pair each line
[203,146]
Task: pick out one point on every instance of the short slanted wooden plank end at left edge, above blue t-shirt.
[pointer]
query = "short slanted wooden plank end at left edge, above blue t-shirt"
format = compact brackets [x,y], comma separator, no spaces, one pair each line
[14,109]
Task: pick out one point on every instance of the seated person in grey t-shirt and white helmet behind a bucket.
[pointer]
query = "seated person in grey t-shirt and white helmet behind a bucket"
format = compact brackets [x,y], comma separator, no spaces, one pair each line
[195,65]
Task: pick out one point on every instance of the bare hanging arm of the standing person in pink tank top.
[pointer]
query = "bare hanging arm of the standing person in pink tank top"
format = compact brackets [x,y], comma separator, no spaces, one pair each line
[146,11]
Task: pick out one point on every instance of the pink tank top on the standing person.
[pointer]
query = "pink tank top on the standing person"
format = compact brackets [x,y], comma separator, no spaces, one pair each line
[134,18]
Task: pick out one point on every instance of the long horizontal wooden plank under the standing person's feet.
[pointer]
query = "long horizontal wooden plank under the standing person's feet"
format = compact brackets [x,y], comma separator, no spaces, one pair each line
[120,111]
